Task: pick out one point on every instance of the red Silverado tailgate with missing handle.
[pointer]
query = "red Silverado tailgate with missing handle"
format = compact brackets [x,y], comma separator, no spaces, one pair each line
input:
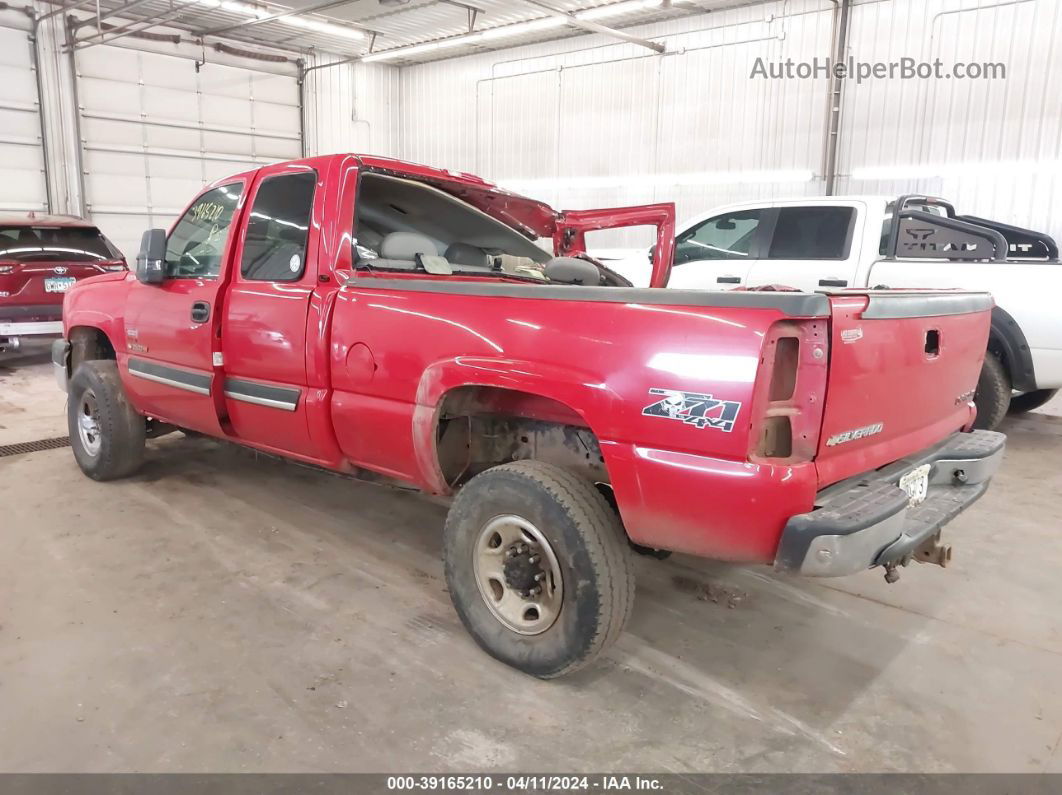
[903,370]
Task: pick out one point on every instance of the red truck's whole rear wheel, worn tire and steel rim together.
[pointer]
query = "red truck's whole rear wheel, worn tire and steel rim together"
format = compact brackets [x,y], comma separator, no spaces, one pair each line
[538,567]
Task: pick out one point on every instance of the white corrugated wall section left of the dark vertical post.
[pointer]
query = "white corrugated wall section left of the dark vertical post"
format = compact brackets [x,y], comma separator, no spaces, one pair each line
[591,123]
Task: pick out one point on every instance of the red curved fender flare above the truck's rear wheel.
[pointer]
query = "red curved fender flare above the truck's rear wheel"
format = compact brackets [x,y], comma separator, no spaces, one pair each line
[586,394]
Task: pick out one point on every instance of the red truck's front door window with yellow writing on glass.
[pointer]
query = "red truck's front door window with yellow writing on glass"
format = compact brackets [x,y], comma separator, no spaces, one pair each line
[197,245]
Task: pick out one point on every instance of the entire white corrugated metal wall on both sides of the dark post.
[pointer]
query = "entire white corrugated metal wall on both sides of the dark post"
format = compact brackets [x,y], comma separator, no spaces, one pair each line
[590,123]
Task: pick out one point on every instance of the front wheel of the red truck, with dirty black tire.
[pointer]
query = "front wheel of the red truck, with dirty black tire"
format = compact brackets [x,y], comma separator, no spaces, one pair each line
[119,441]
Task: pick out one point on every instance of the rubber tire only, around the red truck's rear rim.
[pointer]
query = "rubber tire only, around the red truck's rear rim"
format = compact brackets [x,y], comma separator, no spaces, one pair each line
[591,550]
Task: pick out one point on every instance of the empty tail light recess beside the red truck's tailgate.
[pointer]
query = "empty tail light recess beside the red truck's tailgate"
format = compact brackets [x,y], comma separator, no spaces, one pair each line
[789,399]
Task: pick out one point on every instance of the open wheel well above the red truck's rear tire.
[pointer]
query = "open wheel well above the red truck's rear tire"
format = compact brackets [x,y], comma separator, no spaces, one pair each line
[481,427]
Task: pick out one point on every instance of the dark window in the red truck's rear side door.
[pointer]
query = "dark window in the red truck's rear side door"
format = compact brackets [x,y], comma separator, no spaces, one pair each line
[275,249]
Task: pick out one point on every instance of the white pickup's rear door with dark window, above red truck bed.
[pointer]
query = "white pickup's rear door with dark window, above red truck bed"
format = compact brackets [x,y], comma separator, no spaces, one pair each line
[810,248]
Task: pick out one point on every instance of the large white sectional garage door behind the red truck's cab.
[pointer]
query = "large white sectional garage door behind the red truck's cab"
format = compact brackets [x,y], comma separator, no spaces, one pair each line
[155,131]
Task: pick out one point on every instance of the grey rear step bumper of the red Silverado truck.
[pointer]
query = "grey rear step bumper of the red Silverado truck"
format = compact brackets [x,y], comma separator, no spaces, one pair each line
[867,522]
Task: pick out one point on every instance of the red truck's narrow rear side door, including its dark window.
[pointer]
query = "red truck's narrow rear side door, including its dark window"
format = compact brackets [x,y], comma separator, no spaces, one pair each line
[264,329]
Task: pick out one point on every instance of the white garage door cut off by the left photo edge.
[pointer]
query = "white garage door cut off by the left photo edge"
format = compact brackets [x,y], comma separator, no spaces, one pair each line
[23,187]
